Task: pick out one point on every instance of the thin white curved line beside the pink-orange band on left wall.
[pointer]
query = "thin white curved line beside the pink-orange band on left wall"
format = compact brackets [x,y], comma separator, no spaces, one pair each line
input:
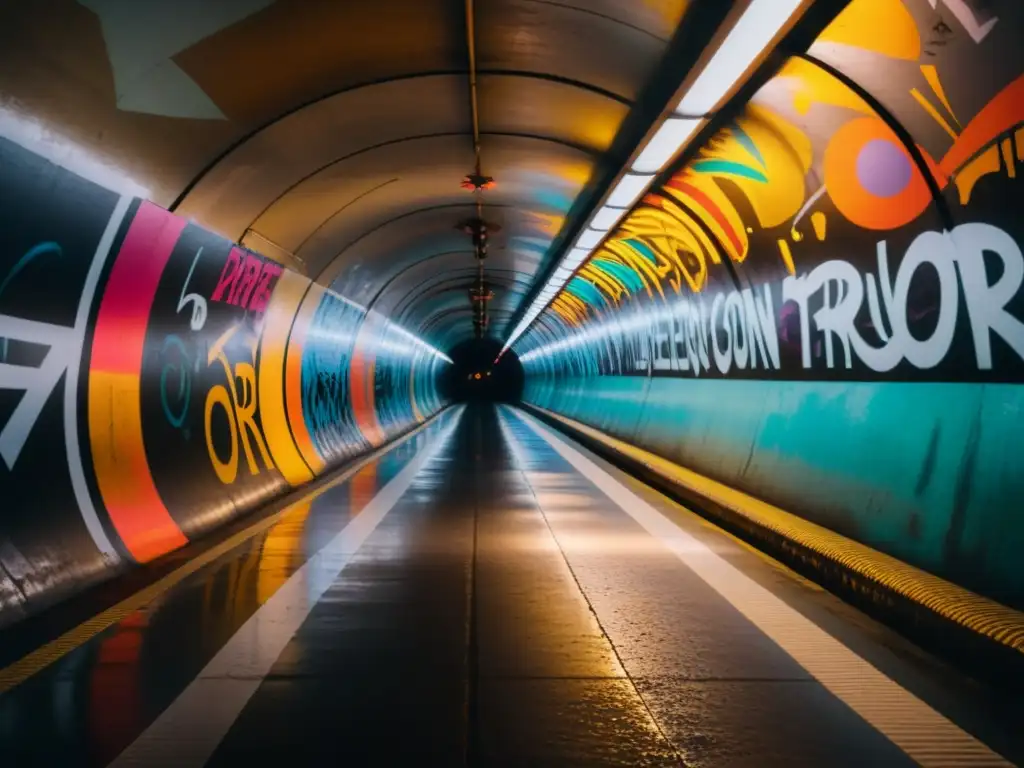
[72,444]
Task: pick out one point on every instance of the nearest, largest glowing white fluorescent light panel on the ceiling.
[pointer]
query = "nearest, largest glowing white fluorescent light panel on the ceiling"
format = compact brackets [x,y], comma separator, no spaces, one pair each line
[755,31]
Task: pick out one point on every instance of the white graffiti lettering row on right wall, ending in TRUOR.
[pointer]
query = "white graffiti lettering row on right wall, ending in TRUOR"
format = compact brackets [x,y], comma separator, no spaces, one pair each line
[849,319]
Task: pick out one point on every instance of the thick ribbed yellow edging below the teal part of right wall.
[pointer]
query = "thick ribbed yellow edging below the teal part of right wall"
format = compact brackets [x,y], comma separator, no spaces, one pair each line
[980,615]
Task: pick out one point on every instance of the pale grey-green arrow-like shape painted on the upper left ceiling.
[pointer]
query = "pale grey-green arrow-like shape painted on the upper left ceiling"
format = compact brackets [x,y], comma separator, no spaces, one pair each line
[143,35]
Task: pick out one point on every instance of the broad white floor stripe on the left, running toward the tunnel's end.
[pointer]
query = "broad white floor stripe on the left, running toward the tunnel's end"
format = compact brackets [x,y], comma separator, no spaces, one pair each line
[189,732]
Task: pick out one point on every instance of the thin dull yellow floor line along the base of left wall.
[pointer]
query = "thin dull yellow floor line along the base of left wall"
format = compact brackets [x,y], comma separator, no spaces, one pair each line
[44,657]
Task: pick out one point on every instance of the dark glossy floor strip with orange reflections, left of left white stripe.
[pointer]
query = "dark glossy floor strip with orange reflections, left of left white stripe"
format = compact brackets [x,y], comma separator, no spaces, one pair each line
[86,709]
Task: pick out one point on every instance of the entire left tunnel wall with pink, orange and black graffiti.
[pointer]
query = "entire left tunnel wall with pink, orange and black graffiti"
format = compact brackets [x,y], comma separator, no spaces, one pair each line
[158,381]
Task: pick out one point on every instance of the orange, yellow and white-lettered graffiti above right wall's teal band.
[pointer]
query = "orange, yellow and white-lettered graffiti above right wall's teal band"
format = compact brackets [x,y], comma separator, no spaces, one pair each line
[875,259]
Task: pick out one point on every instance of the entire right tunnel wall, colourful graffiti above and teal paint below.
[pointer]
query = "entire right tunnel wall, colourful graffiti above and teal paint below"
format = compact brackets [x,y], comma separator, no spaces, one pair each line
[824,308]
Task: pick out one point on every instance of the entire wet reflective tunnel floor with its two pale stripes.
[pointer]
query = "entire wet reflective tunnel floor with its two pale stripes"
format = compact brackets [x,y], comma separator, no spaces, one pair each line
[488,594]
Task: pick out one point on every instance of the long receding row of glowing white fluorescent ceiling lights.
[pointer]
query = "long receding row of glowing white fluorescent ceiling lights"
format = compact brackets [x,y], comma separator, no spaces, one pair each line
[755,30]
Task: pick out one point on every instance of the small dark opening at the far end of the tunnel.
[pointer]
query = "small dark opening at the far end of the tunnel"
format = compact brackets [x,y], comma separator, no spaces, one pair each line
[476,377]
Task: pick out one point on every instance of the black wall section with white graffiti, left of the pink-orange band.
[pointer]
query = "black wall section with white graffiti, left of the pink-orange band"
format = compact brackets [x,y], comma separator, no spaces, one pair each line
[57,230]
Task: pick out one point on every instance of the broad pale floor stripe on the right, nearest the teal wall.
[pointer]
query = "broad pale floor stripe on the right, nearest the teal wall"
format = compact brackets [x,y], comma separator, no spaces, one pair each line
[927,737]
